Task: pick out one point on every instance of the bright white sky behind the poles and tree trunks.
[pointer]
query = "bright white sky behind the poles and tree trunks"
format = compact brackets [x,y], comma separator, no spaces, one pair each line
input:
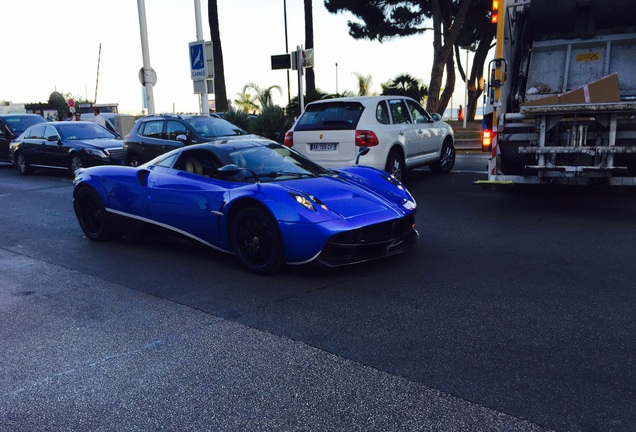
[54,45]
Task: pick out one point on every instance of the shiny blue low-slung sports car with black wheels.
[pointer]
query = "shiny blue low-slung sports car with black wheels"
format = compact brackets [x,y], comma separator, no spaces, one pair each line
[255,198]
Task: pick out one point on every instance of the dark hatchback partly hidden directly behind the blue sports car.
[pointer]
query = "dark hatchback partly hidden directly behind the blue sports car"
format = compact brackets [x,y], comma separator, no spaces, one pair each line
[154,135]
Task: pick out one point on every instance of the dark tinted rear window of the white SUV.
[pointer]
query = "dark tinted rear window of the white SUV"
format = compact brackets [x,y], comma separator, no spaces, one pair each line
[330,116]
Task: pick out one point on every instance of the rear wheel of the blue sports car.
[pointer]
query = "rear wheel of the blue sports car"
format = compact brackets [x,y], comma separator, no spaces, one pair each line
[91,215]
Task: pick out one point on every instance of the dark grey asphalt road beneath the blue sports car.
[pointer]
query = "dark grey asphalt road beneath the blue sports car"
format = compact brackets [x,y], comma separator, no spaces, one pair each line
[514,312]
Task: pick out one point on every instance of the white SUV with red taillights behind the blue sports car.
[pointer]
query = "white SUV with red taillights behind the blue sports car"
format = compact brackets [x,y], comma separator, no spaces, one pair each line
[398,132]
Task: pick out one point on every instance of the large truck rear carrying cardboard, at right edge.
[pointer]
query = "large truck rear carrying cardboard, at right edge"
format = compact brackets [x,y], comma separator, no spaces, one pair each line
[561,100]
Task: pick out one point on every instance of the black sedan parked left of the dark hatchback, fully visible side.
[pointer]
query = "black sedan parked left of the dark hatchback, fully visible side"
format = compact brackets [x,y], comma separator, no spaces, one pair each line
[66,145]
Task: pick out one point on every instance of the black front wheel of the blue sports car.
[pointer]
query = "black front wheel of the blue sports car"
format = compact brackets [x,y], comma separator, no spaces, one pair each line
[256,240]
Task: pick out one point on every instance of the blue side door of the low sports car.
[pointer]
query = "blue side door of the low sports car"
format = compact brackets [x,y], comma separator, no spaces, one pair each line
[187,202]
